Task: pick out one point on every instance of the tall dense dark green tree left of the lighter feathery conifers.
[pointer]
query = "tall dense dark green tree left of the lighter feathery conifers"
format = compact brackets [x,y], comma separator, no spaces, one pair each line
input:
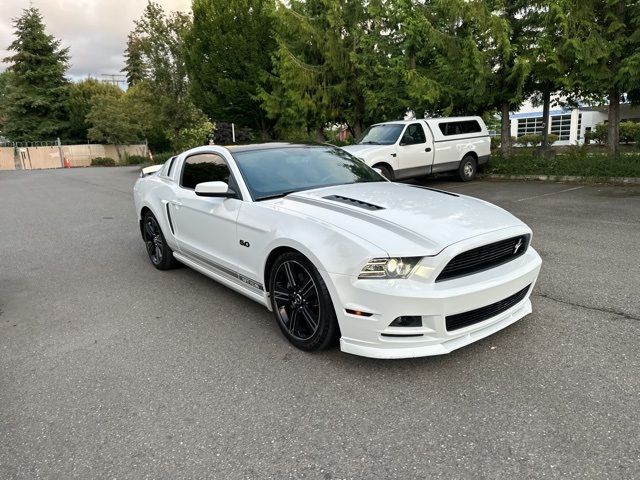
[229,49]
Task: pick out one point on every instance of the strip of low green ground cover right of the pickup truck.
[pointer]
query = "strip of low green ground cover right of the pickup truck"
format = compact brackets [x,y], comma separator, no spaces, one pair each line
[578,162]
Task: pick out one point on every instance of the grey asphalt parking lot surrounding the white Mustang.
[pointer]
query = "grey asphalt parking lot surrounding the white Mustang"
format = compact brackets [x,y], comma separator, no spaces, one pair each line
[111,369]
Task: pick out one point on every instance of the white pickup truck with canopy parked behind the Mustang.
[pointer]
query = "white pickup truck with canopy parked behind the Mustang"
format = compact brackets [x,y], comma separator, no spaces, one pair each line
[410,148]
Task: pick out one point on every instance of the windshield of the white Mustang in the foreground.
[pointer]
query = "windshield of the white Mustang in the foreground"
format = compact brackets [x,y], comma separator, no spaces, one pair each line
[274,172]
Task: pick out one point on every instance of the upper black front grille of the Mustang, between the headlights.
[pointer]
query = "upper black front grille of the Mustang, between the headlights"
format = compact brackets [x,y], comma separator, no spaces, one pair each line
[485,257]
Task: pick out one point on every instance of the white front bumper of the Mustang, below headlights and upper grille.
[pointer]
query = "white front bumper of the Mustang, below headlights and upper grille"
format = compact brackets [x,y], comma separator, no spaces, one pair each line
[388,299]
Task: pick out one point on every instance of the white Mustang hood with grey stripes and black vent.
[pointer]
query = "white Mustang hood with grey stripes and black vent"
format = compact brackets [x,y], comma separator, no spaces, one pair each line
[401,219]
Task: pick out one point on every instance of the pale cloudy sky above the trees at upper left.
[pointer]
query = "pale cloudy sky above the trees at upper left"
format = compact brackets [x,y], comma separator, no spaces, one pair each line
[95,30]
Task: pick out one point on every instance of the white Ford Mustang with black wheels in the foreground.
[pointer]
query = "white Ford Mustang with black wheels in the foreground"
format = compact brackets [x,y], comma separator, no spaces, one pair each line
[333,249]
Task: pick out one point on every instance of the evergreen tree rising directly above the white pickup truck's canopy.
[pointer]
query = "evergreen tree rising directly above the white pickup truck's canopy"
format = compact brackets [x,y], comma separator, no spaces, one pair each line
[449,68]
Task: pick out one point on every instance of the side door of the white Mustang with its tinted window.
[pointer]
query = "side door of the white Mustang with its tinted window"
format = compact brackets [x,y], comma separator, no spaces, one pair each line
[205,227]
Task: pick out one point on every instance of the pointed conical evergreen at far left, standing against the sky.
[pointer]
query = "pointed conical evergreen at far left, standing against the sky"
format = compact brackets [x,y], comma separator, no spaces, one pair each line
[37,91]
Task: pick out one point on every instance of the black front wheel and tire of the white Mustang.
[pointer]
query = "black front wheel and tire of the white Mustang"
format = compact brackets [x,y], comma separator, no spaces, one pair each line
[301,303]
